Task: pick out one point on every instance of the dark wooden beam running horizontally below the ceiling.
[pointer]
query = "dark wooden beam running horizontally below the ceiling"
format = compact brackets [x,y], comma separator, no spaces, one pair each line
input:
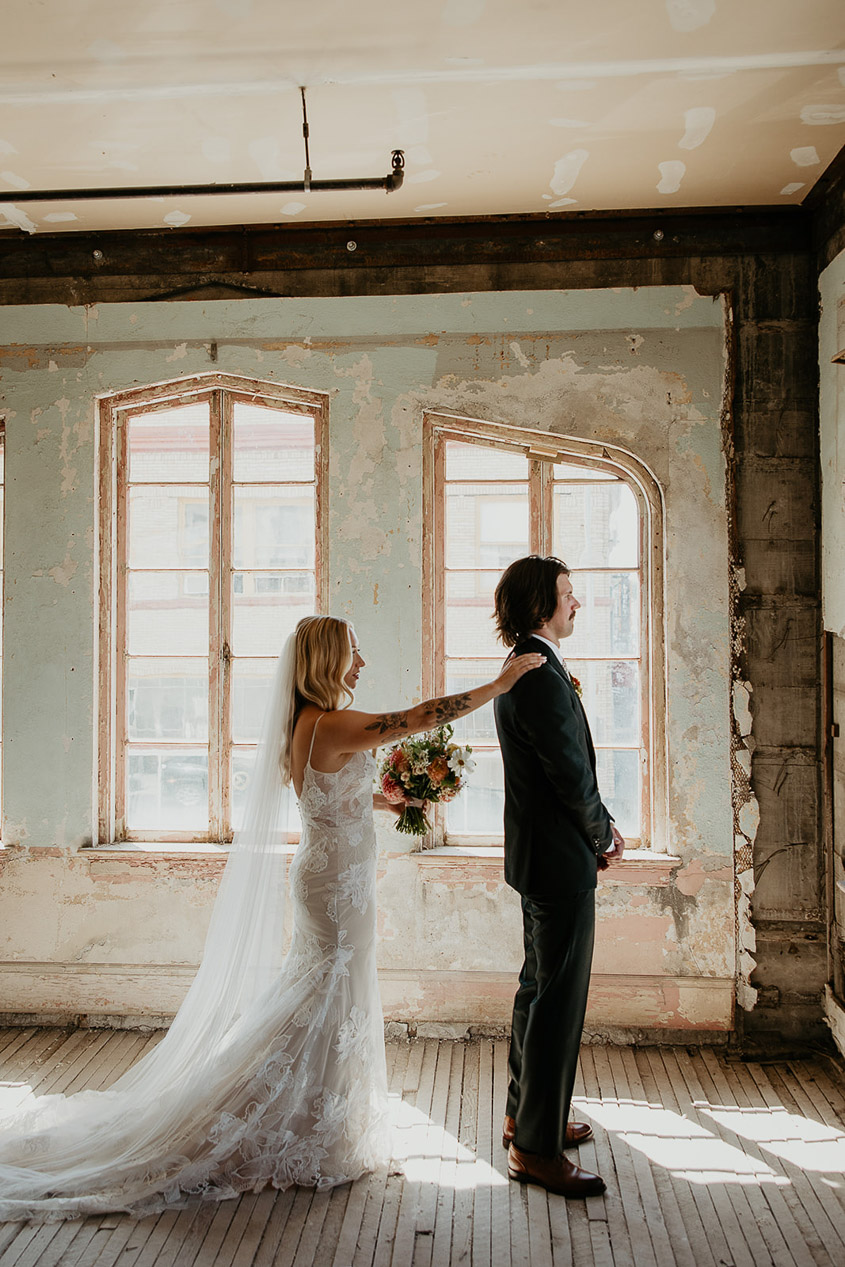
[386,257]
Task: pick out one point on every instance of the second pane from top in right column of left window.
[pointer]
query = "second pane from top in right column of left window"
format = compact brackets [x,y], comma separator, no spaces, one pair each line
[274,528]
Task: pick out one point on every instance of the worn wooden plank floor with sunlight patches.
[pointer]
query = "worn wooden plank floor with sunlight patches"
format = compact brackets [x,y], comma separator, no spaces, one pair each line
[710,1162]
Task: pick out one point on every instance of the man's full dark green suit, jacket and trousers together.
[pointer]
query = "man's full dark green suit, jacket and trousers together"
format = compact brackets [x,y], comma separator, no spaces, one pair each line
[556,828]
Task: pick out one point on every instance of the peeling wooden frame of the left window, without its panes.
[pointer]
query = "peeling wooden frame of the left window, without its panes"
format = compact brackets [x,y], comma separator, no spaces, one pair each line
[221,391]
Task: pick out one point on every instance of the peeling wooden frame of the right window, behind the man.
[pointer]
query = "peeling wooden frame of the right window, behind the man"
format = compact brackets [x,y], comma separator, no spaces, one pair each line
[544,450]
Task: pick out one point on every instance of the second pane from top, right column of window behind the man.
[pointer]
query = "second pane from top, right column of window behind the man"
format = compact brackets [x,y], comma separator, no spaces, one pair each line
[597,526]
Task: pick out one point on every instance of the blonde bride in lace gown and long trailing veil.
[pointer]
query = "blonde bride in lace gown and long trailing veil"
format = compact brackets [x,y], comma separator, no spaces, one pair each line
[273,1071]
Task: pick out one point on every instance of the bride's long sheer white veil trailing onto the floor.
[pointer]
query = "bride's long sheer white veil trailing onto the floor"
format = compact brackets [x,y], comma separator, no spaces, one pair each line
[61,1156]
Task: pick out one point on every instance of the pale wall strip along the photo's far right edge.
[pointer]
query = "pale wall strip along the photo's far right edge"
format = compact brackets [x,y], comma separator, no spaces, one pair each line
[832,343]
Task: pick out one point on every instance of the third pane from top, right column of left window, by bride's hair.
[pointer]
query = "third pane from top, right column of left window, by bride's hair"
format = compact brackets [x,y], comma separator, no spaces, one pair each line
[265,609]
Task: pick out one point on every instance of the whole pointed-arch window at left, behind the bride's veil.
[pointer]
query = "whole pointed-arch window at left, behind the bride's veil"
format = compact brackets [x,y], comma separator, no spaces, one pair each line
[212,532]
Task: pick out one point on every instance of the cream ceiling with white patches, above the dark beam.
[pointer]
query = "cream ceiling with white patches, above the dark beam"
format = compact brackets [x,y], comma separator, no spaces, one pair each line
[500,107]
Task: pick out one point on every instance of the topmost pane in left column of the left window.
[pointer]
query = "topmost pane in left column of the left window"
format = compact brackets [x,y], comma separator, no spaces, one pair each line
[169,445]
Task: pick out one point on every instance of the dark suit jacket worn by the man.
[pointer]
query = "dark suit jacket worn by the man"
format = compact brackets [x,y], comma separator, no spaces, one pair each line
[556,824]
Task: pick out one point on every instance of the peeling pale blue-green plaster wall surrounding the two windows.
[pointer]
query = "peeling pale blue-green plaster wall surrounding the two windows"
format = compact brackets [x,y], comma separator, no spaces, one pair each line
[105,933]
